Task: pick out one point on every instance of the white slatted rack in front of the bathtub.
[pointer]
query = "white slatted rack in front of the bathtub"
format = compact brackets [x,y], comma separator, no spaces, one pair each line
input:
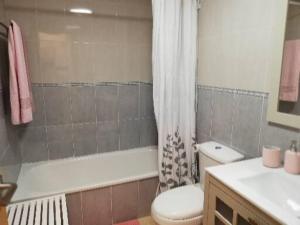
[45,211]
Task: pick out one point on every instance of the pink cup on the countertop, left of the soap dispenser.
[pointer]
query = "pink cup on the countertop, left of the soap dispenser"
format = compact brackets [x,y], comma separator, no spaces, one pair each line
[271,156]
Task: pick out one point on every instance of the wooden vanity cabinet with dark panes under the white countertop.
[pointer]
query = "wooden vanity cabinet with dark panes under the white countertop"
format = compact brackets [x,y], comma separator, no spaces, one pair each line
[222,206]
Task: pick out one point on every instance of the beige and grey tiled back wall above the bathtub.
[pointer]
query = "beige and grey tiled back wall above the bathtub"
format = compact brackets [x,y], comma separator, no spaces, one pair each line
[74,59]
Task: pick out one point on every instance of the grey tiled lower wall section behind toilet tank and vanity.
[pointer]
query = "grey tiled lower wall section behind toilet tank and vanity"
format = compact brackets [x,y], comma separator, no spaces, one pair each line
[238,119]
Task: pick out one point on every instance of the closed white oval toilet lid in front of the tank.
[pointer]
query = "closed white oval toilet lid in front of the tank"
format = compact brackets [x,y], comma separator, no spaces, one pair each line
[180,203]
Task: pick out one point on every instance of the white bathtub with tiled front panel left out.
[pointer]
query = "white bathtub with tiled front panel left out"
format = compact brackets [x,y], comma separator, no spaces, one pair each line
[89,172]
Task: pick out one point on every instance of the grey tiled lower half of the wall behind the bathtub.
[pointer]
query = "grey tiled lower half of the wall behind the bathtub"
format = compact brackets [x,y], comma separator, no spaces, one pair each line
[82,119]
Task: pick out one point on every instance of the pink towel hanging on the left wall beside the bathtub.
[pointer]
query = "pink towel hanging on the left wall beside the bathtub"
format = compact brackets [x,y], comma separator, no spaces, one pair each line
[19,80]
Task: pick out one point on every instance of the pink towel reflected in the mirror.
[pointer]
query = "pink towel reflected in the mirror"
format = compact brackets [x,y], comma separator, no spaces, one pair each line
[289,85]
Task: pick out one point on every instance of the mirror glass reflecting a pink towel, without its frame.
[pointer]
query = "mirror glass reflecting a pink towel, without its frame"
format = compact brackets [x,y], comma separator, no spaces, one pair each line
[289,90]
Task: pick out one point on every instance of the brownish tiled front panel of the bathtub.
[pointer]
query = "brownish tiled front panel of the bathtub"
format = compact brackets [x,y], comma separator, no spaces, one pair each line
[111,205]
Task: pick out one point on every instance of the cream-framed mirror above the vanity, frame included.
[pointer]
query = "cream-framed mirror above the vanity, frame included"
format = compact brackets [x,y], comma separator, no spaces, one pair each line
[284,98]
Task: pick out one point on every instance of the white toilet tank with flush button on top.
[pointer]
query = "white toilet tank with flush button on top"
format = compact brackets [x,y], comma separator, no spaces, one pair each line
[213,154]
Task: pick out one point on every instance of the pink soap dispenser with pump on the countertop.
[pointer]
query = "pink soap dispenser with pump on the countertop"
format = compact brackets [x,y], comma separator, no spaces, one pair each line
[292,159]
